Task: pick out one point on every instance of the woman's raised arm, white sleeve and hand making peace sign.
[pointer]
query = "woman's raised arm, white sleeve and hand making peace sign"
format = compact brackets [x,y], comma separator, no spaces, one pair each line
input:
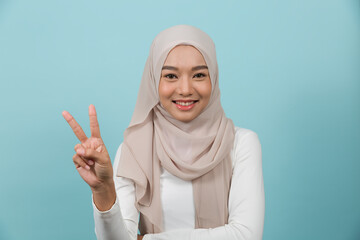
[93,164]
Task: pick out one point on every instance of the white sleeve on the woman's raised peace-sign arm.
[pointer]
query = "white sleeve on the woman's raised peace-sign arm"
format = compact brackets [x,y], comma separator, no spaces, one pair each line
[121,221]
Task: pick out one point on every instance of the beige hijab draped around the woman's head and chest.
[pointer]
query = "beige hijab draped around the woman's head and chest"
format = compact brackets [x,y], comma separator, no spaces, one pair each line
[198,150]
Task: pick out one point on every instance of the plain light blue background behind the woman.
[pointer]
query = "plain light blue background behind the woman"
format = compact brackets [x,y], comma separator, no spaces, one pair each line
[289,70]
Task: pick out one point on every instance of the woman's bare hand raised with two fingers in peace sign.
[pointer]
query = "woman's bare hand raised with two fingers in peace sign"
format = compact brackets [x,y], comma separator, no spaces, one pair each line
[91,160]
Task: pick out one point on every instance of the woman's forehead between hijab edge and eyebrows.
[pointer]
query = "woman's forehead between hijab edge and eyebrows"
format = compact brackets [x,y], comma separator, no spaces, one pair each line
[184,56]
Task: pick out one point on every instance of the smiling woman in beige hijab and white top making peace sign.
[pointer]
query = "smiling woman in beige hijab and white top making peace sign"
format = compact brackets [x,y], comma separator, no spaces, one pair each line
[183,167]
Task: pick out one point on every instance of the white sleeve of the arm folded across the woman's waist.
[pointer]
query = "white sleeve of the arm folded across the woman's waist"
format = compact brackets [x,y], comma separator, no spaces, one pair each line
[246,198]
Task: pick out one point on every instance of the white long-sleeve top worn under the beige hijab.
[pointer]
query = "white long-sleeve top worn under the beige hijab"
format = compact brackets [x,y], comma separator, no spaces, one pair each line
[246,202]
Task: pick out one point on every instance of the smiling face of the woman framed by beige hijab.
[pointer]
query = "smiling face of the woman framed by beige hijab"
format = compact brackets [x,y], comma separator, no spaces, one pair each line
[185,85]
